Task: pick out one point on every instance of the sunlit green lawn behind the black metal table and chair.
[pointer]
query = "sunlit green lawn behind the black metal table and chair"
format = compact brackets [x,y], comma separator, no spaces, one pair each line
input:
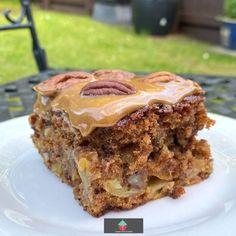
[79,42]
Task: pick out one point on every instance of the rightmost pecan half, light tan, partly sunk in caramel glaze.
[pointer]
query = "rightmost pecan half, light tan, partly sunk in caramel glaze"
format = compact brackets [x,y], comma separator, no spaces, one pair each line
[162,77]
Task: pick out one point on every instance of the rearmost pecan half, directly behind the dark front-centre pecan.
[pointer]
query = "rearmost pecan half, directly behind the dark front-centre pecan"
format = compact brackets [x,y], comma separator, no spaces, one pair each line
[113,74]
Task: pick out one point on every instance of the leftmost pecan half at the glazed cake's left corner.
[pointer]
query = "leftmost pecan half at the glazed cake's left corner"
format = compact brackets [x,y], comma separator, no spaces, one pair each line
[60,82]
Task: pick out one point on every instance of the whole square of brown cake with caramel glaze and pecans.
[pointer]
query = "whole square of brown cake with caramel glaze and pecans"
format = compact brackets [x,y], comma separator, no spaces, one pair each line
[121,140]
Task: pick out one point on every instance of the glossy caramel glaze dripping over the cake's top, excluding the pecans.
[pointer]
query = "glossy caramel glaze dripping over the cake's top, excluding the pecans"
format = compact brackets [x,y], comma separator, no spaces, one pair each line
[88,113]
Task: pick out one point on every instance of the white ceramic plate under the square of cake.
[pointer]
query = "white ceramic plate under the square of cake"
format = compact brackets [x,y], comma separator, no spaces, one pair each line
[34,202]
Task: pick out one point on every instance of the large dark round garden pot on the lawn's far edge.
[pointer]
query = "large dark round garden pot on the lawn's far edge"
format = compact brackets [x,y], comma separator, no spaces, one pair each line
[155,17]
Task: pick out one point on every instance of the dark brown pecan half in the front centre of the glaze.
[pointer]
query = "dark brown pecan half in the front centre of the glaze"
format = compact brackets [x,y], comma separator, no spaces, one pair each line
[107,87]
